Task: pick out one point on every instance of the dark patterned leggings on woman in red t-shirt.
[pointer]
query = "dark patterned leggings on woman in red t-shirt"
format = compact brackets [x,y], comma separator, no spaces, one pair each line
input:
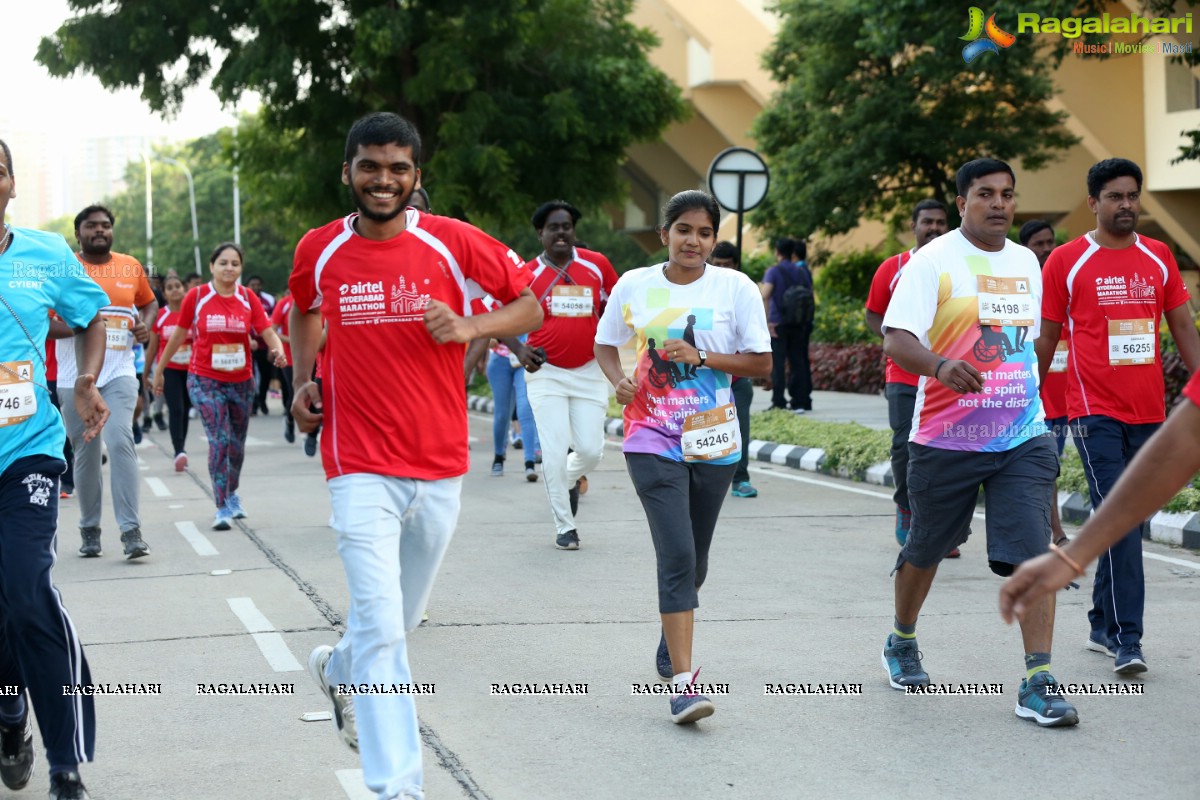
[225,412]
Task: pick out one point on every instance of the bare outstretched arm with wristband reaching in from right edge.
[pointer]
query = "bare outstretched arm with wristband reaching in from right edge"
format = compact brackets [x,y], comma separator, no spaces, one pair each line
[1165,466]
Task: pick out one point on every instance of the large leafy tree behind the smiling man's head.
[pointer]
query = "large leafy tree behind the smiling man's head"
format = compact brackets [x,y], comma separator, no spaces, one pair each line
[518,100]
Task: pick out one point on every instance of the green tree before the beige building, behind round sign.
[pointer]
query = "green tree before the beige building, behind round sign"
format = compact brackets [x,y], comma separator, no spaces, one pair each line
[878,110]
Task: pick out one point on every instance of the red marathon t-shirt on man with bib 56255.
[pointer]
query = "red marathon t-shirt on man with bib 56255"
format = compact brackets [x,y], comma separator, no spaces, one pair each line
[1112,303]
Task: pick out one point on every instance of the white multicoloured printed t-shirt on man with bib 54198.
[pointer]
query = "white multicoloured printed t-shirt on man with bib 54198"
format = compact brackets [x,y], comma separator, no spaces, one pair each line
[985,309]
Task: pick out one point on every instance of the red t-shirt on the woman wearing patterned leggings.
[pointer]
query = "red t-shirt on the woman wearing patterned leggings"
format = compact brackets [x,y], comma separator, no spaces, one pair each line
[221,329]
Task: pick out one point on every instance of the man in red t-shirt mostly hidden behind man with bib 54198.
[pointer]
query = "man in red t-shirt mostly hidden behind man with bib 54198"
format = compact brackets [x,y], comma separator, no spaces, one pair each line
[928,224]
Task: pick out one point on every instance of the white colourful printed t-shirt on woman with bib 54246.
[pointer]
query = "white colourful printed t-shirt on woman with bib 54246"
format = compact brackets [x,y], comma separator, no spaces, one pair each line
[721,312]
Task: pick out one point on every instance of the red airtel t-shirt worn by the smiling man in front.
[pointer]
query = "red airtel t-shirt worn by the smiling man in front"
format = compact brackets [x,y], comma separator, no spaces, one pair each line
[394,399]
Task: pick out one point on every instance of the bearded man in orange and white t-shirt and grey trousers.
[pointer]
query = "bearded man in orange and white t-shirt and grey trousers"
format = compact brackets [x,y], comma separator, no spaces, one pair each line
[128,317]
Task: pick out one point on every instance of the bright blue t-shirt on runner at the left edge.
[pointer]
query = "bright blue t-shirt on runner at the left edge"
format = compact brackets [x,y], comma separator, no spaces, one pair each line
[40,274]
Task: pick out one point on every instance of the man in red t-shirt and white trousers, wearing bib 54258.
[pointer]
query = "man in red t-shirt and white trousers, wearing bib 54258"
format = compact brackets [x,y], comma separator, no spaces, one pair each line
[568,393]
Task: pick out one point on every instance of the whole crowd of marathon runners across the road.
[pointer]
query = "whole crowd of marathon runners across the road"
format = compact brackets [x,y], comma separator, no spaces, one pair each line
[997,351]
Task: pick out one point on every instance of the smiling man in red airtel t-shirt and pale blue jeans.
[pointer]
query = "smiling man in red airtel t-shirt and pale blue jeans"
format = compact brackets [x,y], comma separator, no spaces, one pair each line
[394,287]
